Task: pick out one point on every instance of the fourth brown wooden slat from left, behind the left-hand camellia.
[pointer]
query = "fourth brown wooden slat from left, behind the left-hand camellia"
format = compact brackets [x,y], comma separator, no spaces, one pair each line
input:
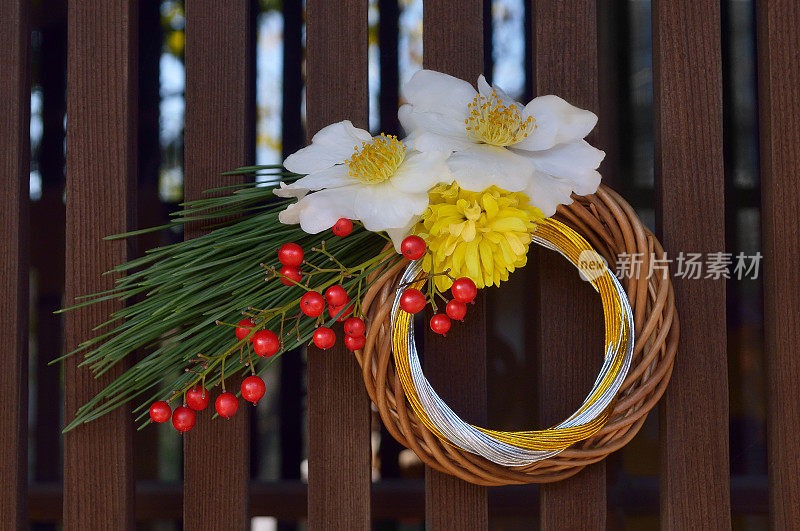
[338,406]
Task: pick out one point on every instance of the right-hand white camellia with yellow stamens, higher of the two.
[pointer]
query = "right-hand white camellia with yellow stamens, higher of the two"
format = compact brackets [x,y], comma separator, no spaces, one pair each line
[537,148]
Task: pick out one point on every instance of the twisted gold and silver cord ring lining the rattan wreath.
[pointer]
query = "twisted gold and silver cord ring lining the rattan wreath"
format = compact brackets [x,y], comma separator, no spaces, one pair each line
[523,447]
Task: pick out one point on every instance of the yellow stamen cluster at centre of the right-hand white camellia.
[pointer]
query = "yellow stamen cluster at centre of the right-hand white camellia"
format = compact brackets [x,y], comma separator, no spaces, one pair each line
[492,122]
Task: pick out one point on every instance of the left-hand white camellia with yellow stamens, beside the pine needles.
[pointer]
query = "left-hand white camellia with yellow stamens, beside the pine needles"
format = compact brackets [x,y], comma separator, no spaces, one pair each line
[350,174]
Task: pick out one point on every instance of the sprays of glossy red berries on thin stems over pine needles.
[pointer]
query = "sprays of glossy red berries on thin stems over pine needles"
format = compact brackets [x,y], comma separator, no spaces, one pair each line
[251,332]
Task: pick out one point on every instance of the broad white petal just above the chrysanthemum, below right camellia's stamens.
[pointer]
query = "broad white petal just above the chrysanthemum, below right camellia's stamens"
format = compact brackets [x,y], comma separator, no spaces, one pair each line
[482,166]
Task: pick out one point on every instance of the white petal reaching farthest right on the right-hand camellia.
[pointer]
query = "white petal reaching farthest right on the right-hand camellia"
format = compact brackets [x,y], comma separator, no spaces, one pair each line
[574,161]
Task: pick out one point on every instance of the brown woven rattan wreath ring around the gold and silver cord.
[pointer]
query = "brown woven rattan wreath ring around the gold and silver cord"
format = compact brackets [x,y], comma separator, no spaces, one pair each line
[612,227]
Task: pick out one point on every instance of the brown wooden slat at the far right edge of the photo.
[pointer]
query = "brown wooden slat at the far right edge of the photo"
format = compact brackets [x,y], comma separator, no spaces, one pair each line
[779,105]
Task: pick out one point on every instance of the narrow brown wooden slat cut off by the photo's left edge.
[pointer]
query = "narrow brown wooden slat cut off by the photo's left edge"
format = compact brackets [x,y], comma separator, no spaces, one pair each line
[14,167]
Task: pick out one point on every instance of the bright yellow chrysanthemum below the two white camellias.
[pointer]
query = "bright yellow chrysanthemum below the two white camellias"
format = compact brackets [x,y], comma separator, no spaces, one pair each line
[480,235]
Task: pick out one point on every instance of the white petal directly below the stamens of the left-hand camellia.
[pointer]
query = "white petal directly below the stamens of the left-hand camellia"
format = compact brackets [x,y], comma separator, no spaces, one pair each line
[382,206]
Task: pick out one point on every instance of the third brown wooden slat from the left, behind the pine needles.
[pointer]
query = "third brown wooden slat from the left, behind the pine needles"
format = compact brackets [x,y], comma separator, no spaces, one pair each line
[219,136]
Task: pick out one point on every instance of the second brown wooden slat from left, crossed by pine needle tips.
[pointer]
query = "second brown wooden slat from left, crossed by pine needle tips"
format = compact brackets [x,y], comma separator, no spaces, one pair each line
[101,177]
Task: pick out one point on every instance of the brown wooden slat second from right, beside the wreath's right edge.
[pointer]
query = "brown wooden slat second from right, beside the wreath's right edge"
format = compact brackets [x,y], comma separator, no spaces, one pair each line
[687,92]
